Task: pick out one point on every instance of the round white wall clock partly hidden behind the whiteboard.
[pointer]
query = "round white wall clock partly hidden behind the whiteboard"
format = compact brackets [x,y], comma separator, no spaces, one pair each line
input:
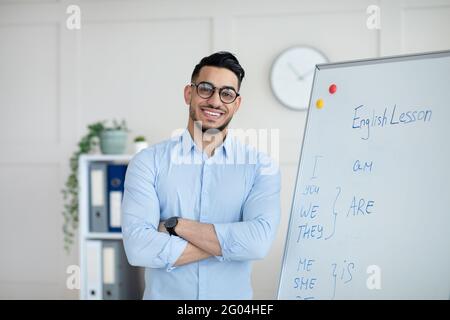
[292,76]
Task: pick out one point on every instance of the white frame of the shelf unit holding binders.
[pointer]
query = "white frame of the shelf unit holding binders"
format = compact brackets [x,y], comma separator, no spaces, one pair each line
[83,212]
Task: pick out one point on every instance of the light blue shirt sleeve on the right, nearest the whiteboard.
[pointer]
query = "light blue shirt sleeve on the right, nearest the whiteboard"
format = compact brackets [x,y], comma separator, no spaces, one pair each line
[251,238]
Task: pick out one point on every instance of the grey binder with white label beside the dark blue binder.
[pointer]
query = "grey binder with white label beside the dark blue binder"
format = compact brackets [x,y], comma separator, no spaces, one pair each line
[98,205]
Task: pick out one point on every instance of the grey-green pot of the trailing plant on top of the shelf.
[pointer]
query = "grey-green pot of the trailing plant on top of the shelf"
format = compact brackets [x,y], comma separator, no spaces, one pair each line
[113,140]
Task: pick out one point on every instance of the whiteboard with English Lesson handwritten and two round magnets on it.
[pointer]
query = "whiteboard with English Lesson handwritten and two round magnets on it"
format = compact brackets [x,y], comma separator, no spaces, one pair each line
[370,217]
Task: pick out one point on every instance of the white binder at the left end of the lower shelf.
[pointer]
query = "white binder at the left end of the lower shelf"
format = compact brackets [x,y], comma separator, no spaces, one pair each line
[94,270]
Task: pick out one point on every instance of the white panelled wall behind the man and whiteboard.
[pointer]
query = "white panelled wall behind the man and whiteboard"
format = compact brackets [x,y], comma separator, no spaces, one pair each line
[131,60]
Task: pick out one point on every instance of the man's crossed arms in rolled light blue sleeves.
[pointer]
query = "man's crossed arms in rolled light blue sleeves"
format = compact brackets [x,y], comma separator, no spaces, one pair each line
[148,245]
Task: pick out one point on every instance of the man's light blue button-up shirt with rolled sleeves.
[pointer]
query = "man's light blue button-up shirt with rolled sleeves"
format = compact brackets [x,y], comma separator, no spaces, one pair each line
[237,190]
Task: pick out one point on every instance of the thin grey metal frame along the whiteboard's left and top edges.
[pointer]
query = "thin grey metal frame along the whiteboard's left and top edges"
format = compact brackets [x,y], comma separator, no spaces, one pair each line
[360,62]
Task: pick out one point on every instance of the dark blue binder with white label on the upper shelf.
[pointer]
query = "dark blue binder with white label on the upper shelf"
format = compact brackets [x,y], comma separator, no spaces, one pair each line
[116,179]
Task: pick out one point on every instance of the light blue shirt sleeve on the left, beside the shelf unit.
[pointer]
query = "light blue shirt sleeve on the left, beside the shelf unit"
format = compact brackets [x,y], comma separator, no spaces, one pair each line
[144,245]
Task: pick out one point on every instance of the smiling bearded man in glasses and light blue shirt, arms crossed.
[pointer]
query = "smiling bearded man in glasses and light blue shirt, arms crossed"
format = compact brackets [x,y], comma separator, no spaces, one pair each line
[197,209]
